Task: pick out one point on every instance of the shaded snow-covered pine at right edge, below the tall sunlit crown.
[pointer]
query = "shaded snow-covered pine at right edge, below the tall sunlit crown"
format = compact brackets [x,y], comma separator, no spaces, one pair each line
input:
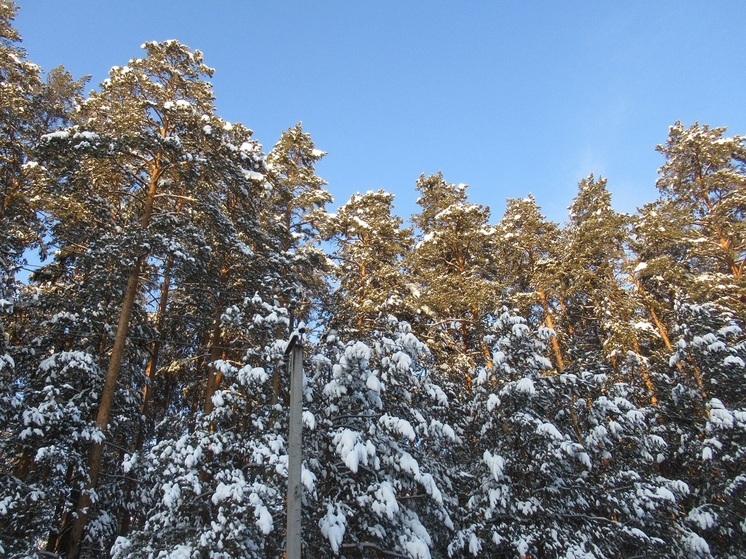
[705,425]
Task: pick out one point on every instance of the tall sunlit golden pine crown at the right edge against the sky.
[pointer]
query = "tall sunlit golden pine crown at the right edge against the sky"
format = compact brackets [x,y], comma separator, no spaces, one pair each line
[702,185]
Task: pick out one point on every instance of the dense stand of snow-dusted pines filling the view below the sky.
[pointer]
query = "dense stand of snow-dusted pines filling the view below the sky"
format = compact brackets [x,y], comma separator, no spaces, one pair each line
[474,386]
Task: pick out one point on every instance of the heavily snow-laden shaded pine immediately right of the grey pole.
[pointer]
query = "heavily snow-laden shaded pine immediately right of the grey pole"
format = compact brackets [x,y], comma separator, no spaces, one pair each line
[379,483]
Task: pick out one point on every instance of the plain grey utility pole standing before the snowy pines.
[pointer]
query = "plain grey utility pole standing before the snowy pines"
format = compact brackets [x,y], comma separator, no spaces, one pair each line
[295,448]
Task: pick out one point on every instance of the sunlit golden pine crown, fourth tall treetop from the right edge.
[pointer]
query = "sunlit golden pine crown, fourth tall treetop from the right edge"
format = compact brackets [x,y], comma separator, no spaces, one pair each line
[450,269]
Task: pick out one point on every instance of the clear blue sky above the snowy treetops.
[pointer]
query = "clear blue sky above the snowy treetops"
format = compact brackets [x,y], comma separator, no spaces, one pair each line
[508,97]
